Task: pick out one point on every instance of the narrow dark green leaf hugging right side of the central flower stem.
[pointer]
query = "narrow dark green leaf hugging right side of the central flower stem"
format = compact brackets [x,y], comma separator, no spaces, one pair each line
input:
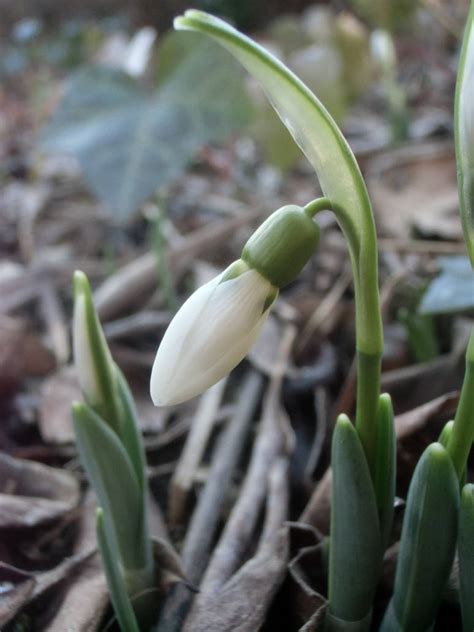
[385,466]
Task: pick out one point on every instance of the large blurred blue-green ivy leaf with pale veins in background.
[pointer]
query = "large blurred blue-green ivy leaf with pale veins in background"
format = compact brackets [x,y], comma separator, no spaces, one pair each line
[128,141]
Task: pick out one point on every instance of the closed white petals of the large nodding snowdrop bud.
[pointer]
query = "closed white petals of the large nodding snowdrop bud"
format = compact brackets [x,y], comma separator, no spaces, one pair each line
[211,334]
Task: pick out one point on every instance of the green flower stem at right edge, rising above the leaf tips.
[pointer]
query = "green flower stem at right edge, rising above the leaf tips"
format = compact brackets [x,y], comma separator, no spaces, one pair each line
[462,434]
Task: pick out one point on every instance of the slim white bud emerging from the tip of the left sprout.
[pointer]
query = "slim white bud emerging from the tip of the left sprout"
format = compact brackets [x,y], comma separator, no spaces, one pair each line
[83,358]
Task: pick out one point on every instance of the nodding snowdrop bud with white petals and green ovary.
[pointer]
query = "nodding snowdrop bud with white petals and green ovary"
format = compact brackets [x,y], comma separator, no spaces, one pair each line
[217,325]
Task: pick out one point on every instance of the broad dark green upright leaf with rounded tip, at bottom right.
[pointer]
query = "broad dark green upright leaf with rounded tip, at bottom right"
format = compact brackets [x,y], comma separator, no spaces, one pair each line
[427,543]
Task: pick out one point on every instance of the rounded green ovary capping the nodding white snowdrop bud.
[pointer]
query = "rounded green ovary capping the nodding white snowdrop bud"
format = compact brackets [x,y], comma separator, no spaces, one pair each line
[281,247]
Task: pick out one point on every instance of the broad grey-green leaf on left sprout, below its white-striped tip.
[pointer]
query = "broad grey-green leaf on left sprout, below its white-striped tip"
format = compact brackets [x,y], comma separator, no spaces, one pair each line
[114,481]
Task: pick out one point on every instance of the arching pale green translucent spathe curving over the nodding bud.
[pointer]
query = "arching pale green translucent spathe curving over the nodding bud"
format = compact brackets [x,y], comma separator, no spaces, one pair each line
[326,149]
